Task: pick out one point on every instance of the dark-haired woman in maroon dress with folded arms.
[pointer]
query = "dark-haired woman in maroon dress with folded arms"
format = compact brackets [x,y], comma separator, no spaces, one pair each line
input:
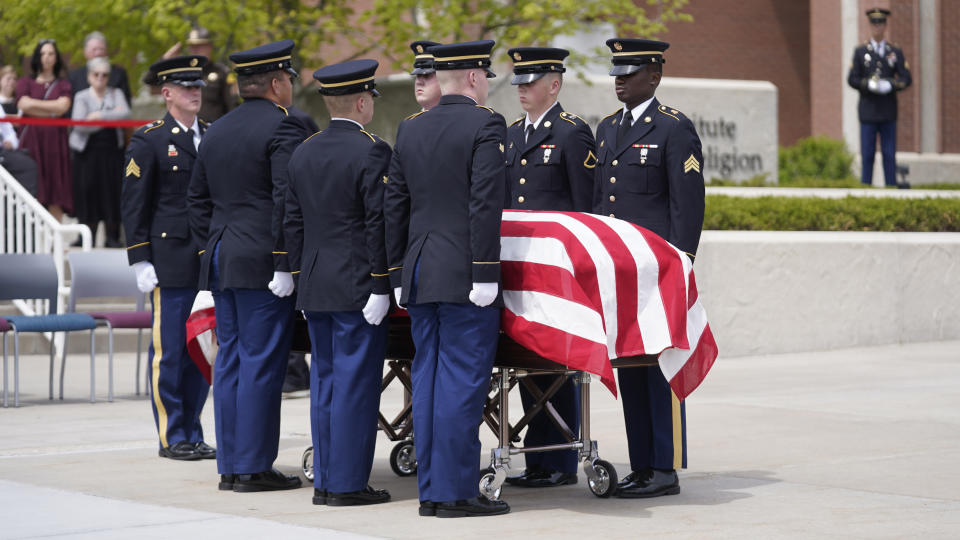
[47,94]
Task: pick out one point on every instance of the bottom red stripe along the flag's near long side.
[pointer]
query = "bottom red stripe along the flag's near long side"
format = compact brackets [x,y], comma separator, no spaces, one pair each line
[561,347]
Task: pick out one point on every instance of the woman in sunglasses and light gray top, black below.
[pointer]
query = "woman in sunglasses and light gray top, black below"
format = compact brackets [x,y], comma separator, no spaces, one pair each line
[99,152]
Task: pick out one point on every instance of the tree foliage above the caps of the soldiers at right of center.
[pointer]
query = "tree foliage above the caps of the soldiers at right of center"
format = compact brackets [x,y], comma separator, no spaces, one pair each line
[514,23]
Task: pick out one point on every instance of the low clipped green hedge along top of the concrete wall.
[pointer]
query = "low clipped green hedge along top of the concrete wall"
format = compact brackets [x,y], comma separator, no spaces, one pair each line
[817,214]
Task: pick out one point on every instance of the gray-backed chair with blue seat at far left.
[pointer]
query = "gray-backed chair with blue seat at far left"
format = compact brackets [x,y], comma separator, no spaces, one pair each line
[29,277]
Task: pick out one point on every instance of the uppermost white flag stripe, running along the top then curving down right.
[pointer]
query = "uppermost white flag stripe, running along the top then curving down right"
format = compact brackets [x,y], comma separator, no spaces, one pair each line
[606,276]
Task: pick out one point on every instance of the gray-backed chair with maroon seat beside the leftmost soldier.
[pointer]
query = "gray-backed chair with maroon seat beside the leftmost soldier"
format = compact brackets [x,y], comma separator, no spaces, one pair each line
[106,273]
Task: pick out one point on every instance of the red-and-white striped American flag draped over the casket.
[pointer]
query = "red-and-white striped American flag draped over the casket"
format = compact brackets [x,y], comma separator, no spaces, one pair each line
[581,290]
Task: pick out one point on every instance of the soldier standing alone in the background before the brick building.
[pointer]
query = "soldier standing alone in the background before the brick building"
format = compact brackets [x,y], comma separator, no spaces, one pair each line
[878,71]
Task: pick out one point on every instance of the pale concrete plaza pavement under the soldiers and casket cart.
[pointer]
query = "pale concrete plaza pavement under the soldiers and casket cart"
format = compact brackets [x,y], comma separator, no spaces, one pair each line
[855,443]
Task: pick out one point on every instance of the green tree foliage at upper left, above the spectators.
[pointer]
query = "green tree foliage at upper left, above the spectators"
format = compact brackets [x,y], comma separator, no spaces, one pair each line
[140,31]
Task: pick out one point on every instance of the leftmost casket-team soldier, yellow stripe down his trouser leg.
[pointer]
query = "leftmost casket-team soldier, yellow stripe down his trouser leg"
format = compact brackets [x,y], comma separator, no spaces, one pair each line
[159,161]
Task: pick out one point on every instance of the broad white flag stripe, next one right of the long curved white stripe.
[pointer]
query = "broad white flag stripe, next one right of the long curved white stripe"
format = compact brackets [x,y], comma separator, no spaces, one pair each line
[651,313]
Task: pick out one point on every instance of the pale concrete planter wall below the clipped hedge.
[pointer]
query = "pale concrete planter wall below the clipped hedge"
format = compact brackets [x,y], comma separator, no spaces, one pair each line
[776,292]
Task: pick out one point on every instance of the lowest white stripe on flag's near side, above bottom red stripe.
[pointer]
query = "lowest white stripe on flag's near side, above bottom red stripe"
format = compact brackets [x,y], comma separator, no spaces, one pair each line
[556,312]
